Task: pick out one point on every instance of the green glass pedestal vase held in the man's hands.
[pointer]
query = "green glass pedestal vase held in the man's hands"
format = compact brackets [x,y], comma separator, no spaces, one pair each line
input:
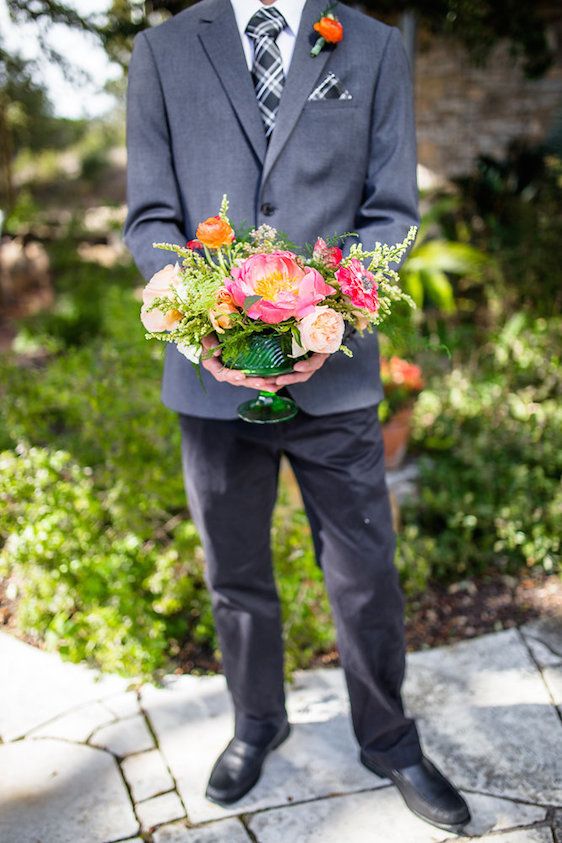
[265,356]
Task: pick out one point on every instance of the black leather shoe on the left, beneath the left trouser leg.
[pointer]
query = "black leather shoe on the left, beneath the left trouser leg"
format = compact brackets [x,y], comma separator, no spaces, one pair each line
[238,767]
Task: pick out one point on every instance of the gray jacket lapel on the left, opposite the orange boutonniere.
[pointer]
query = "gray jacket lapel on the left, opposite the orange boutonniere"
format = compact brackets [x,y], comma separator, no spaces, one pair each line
[221,41]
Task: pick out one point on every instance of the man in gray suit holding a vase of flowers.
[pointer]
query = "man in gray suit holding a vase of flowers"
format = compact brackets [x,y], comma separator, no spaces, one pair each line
[226,98]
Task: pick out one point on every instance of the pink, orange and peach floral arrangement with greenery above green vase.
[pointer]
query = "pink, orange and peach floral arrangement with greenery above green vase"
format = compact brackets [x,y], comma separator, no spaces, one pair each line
[237,284]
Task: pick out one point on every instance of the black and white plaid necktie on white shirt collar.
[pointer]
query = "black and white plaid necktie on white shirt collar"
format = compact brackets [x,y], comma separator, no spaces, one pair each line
[267,69]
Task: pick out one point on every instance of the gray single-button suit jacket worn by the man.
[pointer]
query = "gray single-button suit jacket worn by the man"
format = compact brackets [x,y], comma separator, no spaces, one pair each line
[194,132]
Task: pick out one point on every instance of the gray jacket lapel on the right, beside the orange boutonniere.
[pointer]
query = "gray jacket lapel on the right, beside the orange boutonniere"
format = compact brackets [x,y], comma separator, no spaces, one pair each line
[304,71]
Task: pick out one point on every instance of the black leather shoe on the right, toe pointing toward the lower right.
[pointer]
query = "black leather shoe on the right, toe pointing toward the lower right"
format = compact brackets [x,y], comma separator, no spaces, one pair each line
[426,792]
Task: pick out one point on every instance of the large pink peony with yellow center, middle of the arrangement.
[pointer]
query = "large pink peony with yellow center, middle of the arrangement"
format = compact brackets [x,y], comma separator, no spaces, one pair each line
[286,289]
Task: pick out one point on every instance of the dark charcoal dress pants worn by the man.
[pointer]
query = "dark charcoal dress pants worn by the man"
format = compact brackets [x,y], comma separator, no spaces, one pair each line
[230,471]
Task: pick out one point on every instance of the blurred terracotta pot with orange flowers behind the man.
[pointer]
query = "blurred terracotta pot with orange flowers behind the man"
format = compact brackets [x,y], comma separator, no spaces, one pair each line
[402,383]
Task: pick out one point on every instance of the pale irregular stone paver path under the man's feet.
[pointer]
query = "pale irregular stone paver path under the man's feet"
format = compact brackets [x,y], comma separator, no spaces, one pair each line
[85,758]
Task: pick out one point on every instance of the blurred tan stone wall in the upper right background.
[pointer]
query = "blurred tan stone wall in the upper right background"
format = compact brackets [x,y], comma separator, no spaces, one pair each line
[463,111]
